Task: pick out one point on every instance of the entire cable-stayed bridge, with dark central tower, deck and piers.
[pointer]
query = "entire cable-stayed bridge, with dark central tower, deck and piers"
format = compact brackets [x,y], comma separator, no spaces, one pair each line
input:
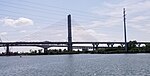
[70,45]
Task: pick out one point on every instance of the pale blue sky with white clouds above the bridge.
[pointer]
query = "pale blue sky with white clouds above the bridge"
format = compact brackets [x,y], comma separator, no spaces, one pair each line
[92,20]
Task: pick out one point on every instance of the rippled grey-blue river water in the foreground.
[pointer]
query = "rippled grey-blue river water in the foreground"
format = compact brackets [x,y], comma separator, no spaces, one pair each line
[76,65]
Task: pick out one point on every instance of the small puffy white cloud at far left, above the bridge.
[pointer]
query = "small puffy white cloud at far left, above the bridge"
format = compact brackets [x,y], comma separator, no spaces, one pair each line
[17,22]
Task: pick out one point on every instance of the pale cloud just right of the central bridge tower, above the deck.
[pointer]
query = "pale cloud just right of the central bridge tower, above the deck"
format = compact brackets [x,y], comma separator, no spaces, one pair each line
[86,34]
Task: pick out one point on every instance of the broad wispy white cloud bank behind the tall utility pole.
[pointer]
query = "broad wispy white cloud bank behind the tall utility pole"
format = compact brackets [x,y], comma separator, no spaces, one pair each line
[111,17]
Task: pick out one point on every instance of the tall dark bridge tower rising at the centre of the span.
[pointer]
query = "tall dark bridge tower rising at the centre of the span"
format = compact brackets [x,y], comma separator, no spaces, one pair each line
[69,34]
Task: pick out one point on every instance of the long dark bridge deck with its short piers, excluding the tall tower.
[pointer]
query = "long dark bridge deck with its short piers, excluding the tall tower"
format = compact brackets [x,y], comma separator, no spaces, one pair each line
[46,45]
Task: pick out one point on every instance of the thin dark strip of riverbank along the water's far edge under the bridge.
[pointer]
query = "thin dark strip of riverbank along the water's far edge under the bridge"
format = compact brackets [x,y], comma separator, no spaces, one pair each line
[76,52]
